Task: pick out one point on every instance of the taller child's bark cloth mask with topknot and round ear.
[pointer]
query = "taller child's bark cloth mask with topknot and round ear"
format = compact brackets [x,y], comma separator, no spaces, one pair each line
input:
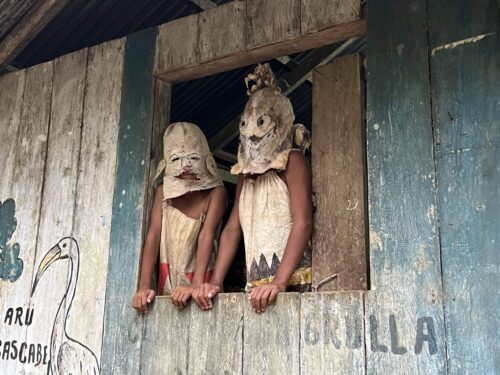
[267,132]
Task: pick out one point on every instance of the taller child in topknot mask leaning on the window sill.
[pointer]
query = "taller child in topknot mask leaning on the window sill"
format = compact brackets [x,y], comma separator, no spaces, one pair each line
[273,203]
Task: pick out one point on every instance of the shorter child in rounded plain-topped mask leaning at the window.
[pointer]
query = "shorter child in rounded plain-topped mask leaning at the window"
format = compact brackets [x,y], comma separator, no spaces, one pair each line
[187,210]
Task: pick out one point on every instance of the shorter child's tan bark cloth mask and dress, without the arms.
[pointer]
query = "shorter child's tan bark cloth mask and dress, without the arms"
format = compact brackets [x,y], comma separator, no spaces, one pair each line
[184,144]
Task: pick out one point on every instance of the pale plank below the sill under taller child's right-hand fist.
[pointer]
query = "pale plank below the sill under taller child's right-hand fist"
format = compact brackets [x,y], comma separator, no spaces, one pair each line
[271,340]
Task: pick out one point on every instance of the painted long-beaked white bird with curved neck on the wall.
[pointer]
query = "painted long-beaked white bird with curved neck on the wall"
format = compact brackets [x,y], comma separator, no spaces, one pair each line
[67,356]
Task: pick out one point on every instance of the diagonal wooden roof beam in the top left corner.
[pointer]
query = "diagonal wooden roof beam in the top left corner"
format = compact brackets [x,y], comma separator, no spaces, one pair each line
[24,32]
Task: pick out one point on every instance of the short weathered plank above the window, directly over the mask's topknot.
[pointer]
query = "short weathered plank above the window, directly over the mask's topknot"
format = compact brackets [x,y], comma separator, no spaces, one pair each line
[268,22]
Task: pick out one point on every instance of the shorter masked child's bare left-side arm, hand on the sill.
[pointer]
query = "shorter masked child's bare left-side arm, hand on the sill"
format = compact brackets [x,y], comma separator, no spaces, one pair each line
[145,293]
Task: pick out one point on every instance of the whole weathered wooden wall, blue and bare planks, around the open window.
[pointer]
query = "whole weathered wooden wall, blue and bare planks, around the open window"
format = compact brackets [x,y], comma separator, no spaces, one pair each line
[75,156]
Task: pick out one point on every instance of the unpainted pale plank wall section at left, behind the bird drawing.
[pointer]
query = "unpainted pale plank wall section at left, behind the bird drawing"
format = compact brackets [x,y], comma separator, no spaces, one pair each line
[59,125]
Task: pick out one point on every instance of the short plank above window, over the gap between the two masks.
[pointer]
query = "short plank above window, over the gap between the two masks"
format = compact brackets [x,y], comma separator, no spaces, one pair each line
[216,41]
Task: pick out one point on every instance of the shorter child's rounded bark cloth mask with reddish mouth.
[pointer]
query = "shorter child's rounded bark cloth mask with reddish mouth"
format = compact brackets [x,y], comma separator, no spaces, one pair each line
[186,150]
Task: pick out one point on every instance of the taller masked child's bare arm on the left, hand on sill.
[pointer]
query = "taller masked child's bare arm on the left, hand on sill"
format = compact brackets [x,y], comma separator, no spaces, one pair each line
[228,245]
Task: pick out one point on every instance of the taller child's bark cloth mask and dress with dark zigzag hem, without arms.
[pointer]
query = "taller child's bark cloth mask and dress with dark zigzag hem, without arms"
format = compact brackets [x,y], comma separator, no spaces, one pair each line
[266,135]
